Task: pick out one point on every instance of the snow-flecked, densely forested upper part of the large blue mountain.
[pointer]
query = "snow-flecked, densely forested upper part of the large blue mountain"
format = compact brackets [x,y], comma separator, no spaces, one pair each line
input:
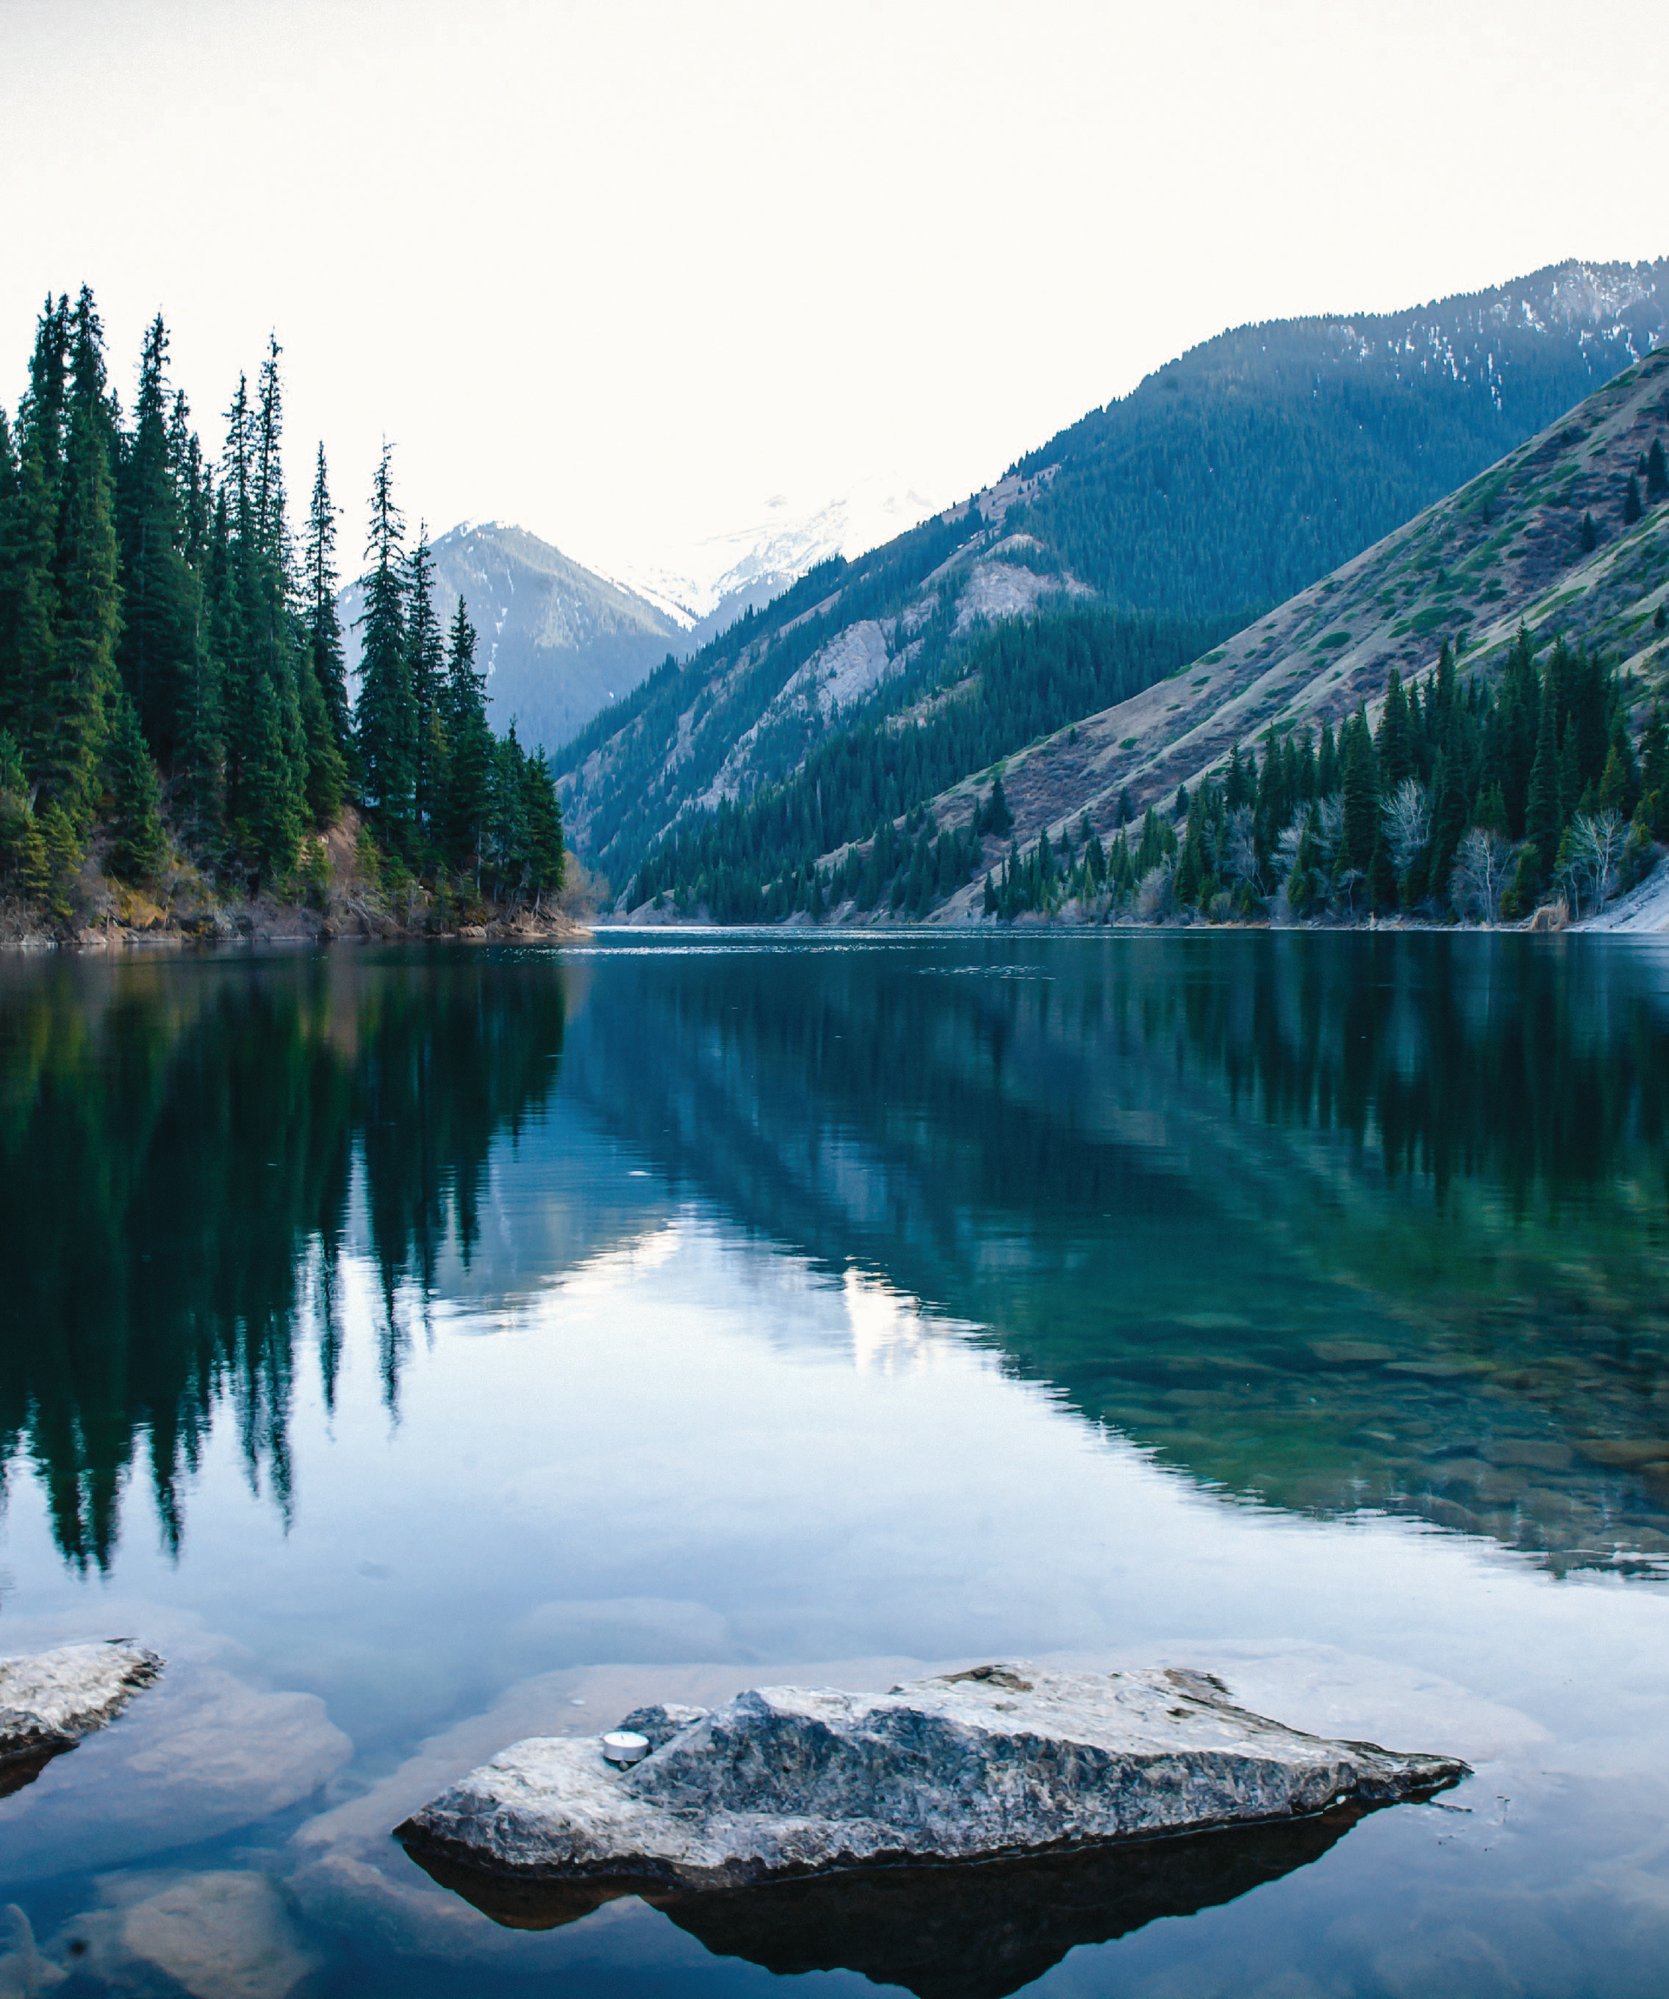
[1354,425]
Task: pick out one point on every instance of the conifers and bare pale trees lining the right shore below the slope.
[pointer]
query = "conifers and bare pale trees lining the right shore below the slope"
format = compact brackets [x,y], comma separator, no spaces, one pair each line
[1470,803]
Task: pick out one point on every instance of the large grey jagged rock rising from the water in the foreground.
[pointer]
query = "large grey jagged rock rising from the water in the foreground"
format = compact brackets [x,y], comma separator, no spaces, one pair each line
[998,1762]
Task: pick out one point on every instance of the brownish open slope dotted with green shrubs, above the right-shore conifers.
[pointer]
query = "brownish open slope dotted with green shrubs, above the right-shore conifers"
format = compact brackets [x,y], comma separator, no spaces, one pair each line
[1510,549]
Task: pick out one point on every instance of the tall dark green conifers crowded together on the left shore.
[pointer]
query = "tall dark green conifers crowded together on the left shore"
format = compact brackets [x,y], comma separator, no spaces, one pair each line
[177,715]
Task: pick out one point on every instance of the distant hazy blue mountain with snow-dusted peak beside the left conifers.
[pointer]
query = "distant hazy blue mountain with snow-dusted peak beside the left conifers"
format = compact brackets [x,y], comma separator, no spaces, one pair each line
[559,643]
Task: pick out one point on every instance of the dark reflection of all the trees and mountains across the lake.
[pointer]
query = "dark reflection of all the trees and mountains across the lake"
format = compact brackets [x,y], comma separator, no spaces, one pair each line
[1326,1222]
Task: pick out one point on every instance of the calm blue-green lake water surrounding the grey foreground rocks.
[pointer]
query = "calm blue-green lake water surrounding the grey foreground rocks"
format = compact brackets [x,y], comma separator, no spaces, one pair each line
[435,1348]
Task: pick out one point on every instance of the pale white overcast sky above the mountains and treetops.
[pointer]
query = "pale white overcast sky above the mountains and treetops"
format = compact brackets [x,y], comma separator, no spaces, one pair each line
[623,269]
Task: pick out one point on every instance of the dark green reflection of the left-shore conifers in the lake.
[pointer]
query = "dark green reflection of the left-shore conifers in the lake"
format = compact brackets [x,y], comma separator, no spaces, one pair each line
[183,1148]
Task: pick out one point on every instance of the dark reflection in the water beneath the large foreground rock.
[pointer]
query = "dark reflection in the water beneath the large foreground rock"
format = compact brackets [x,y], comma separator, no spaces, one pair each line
[980,1930]
